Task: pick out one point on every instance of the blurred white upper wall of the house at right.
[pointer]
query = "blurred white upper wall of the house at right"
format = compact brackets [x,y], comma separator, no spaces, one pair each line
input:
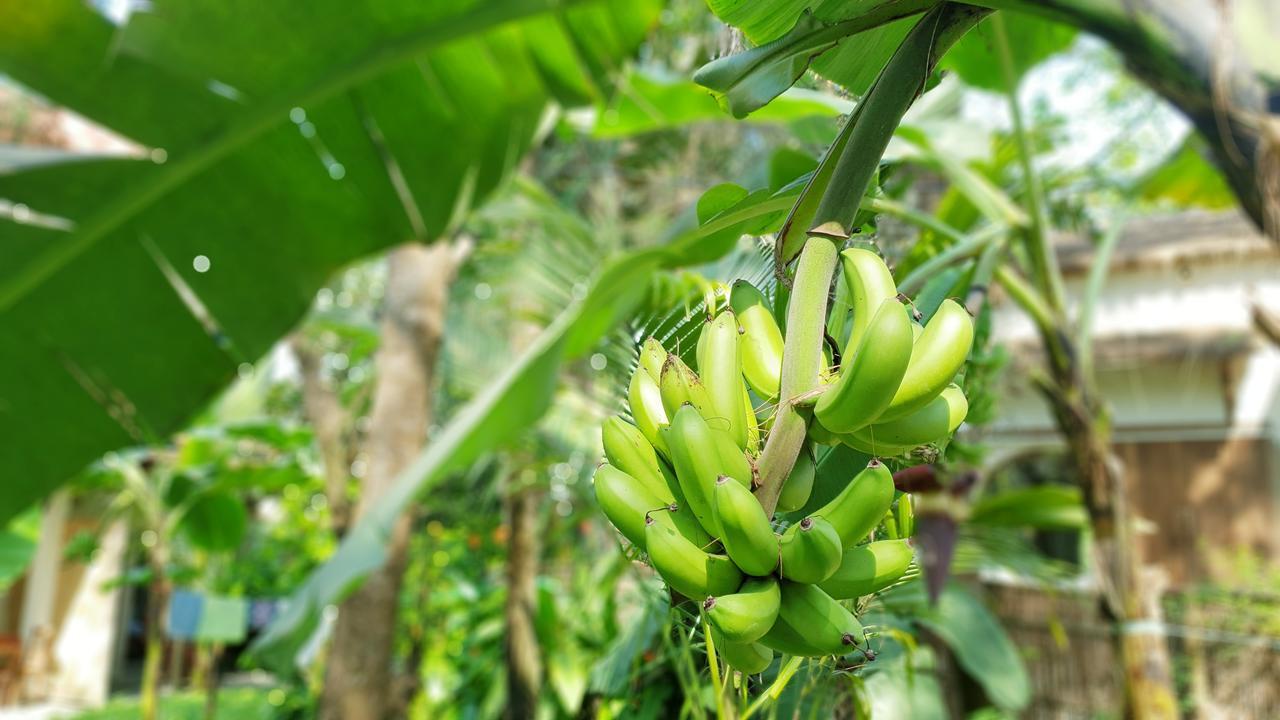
[1212,300]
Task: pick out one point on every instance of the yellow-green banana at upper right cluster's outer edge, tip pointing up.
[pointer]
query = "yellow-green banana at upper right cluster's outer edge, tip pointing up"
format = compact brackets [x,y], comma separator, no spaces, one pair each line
[936,359]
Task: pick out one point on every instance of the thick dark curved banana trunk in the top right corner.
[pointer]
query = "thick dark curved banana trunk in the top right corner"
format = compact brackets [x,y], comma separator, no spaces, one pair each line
[1218,62]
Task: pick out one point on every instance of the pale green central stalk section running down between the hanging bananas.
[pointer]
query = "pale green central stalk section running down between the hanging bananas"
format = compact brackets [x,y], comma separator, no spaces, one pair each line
[802,363]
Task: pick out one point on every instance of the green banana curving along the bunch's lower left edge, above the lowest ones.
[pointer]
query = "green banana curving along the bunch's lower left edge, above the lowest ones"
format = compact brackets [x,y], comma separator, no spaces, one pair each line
[687,568]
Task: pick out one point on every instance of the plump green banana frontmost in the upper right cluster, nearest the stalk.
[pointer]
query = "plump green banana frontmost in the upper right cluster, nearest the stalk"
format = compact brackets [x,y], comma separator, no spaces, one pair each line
[868,382]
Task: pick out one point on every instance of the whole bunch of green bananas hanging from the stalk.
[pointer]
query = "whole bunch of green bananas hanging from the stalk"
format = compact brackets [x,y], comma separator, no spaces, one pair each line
[679,482]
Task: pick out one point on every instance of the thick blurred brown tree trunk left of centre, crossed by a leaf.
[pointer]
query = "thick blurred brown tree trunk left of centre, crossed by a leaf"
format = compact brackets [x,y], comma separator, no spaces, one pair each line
[359,676]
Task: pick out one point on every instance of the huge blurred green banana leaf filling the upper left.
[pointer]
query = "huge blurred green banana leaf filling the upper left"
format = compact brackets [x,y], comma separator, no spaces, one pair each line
[278,142]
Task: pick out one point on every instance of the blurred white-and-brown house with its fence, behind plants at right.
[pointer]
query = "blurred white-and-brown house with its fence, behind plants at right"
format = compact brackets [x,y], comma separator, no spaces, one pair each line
[1190,363]
